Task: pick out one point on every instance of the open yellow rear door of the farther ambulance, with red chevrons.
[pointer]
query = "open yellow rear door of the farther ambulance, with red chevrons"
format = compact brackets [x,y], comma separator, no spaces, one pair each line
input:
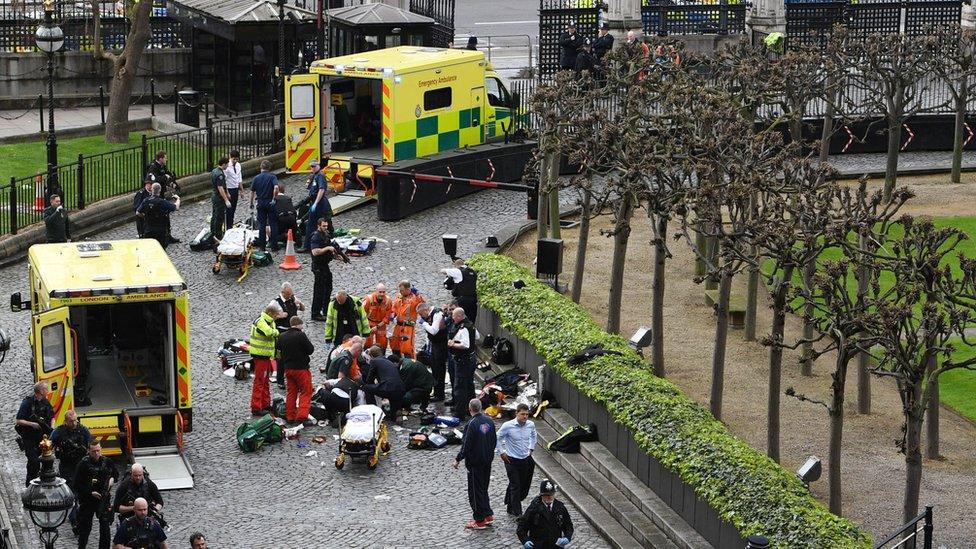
[307,120]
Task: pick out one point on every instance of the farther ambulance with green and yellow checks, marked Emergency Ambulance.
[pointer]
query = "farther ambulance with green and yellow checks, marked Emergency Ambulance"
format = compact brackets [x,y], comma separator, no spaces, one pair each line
[389,105]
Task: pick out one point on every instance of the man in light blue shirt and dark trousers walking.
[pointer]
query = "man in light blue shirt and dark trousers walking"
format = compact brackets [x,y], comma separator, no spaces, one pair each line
[516,440]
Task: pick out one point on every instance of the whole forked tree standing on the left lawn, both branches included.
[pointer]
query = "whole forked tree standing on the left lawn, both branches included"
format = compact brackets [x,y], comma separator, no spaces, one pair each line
[125,64]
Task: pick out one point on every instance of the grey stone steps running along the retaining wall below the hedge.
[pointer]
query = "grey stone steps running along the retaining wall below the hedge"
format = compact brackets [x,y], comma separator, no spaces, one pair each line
[653,512]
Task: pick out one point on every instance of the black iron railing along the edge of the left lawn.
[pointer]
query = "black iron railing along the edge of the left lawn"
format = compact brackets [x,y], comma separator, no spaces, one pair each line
[105,175]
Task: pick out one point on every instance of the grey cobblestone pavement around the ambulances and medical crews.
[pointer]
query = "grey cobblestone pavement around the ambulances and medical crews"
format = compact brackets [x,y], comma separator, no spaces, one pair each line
[277,497]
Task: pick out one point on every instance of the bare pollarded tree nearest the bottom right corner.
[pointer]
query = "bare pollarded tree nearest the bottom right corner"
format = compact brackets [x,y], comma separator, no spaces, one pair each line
[927,307]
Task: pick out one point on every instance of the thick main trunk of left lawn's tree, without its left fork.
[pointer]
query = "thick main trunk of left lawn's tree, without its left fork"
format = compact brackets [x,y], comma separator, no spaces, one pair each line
[124,75]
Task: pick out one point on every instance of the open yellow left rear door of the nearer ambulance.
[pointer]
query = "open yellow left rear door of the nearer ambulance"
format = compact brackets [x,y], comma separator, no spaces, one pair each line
[54,358]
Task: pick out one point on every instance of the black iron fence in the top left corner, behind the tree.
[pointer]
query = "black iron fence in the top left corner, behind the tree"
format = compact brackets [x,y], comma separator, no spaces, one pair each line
[19,20]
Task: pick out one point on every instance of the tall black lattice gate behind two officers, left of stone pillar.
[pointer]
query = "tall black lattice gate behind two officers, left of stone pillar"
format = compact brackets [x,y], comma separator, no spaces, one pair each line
[554,16]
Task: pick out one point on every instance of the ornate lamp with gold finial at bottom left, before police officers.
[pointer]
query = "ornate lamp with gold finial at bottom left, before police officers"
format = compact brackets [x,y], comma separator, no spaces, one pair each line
[48,498]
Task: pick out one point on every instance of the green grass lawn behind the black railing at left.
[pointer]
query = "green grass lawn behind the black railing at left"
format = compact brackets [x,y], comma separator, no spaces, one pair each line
[24,159]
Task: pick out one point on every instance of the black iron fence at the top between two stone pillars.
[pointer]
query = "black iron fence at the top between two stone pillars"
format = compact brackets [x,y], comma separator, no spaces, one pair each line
[662,17]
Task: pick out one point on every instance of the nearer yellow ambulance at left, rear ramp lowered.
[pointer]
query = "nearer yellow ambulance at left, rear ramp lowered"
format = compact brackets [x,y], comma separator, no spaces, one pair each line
[110,334]
